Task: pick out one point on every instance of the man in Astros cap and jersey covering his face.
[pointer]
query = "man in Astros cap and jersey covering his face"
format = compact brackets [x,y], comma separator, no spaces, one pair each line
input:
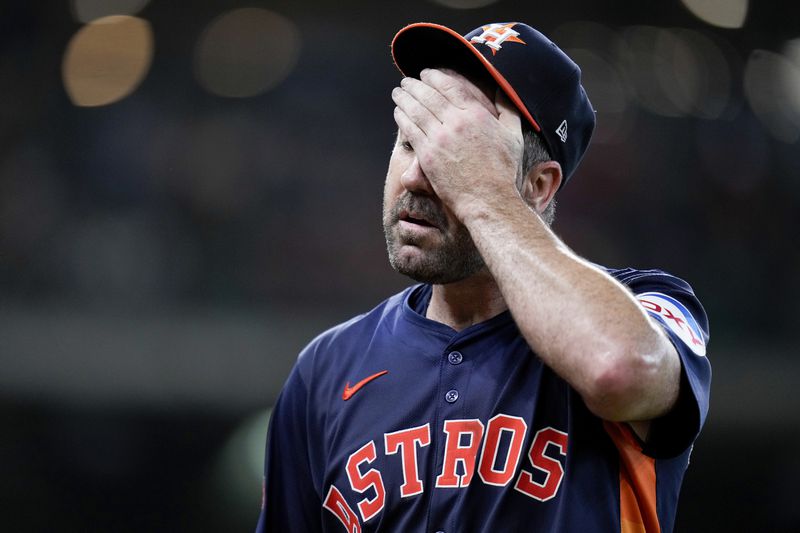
[518,387]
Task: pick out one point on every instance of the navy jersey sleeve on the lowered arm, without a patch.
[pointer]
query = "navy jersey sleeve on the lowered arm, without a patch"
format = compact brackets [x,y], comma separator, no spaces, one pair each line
[290,501]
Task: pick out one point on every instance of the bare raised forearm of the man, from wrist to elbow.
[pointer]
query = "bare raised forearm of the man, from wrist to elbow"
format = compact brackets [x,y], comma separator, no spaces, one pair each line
[582,323]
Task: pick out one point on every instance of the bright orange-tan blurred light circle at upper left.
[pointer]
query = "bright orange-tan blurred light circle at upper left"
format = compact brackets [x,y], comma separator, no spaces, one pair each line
[107,59]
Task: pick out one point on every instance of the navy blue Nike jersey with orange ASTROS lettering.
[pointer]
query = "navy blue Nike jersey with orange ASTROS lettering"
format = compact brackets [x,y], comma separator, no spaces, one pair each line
[394,422]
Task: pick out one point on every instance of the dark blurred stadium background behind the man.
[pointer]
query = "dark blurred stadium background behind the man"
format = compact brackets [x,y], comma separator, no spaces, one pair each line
[190,191]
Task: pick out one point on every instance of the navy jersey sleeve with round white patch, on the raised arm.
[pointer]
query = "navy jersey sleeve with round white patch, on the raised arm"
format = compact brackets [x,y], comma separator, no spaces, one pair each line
[672,303]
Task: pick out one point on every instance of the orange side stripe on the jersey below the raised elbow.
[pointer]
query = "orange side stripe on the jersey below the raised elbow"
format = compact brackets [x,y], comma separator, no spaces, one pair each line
[637,482]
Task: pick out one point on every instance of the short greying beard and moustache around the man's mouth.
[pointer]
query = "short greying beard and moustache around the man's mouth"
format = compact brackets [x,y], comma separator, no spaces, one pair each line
[454,258]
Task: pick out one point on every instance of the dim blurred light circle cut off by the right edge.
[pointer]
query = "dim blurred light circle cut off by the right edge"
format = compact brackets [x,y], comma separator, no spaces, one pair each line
[772,84]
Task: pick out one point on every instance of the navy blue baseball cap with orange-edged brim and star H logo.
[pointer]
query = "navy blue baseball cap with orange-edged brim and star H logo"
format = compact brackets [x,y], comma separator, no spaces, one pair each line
[536,75]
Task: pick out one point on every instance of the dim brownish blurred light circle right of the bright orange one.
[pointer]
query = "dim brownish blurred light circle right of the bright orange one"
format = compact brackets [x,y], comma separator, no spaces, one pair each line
[245,52]
